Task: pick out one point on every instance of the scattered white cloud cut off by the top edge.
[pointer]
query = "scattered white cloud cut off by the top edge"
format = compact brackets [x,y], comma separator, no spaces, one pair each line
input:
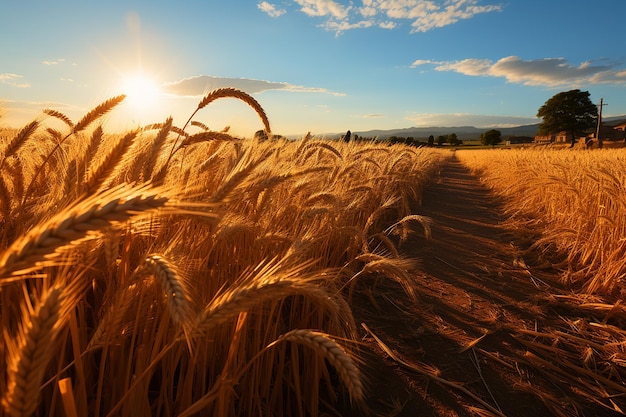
[422,15]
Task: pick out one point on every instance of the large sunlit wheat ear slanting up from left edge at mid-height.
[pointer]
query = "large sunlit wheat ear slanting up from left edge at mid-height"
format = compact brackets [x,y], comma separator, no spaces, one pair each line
[74,223]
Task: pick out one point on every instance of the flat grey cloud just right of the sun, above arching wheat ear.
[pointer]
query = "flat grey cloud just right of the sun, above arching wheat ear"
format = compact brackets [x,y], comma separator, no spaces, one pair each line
[202,84]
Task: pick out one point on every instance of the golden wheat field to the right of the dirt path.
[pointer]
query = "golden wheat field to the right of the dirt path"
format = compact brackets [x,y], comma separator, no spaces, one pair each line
[572,203]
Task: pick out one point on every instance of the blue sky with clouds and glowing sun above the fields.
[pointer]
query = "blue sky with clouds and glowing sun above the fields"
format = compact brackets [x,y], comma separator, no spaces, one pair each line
[314,65]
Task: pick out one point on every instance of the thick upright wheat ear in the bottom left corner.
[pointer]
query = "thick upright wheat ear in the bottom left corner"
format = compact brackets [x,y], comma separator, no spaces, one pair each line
[28,360]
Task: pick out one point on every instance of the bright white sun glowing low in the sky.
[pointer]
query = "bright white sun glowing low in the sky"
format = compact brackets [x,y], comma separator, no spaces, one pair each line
[142,94]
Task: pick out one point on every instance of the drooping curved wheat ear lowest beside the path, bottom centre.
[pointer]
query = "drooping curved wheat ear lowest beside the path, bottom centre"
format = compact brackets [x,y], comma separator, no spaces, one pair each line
[334,353]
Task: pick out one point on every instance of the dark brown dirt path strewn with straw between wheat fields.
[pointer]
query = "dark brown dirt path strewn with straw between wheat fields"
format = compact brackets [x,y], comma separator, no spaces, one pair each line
[472,325]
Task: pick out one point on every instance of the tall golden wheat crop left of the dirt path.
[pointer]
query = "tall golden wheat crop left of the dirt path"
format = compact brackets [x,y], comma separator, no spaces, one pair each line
[170,270]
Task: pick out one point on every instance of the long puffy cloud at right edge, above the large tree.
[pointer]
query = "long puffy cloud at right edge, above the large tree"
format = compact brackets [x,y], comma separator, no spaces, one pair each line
[550,72]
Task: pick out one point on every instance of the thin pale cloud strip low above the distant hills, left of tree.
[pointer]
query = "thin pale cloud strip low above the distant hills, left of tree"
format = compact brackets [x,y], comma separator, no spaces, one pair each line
[468,119]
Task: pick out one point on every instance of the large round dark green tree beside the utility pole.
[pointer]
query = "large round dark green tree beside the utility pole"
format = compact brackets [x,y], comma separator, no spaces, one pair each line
[569,111]
